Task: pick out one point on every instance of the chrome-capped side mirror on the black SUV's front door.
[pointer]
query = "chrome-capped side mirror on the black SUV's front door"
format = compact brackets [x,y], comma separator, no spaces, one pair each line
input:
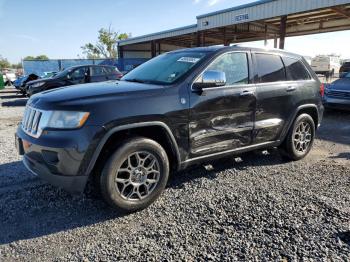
[210,78]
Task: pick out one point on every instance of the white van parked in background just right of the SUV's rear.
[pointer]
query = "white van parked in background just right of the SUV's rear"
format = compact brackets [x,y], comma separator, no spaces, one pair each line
[326,65]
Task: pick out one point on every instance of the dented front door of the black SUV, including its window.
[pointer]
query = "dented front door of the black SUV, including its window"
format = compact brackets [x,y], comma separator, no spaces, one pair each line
[222,118]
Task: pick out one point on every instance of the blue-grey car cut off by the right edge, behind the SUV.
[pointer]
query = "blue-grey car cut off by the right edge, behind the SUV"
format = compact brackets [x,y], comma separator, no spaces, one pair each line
[337,94]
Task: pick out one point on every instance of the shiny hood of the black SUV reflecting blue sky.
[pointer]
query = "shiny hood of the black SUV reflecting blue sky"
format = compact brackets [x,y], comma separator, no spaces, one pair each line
[86,94]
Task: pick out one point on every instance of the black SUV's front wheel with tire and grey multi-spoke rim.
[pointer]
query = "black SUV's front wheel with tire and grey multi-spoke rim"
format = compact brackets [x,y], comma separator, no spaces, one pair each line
[135,175]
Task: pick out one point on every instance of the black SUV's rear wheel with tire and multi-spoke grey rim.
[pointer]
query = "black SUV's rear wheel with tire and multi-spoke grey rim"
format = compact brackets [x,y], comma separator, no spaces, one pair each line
[300,138]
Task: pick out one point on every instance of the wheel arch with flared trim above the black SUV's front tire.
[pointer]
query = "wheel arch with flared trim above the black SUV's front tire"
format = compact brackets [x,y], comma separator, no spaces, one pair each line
[156,130]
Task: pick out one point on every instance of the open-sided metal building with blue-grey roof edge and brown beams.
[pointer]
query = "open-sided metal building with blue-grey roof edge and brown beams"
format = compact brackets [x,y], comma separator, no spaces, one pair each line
[260,20]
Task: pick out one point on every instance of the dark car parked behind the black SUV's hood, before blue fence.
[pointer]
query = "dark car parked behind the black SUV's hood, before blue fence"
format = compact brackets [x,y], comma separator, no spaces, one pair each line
[73,76]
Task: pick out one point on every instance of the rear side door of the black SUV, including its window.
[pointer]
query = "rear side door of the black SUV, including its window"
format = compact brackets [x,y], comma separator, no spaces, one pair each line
[276,97]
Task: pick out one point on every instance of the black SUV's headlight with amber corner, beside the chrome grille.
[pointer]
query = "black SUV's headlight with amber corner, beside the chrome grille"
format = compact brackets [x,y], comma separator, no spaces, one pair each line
[67,119]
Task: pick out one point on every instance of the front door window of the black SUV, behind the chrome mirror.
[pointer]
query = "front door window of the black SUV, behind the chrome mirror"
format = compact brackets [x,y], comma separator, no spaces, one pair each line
[235,66]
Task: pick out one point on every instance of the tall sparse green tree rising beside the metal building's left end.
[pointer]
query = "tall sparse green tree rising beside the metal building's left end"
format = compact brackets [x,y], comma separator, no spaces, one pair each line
[106,46]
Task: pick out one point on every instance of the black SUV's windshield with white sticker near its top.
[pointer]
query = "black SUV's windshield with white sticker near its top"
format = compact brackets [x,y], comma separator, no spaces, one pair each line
[166,68]
